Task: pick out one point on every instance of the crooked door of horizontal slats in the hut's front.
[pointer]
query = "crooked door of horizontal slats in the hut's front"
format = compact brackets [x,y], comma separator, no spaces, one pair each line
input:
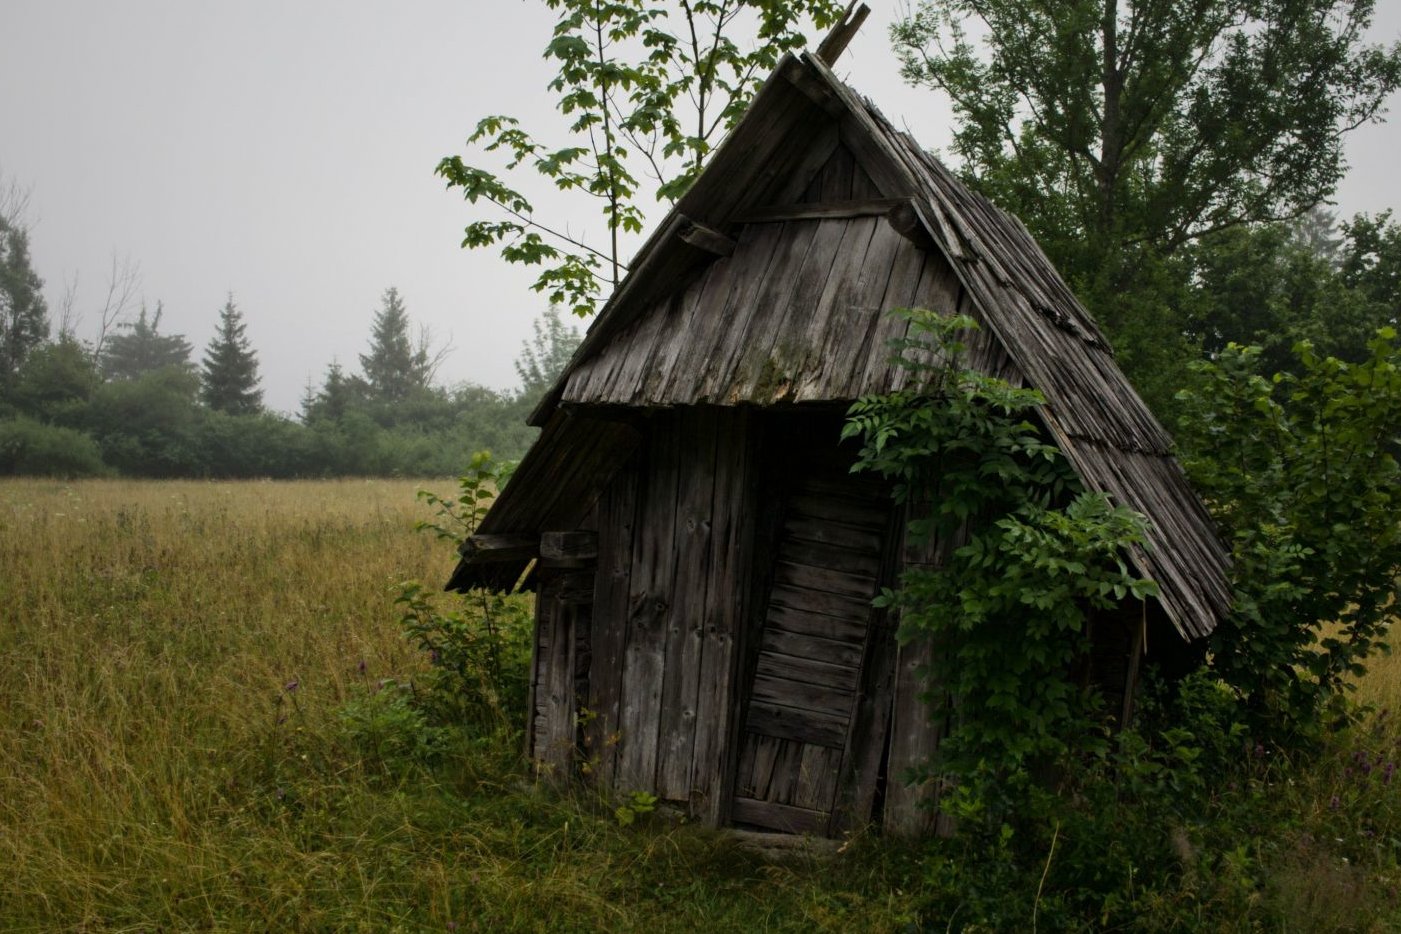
[815,641]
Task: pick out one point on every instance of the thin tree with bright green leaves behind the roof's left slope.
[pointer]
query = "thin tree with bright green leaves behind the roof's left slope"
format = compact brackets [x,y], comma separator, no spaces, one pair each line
[648,90]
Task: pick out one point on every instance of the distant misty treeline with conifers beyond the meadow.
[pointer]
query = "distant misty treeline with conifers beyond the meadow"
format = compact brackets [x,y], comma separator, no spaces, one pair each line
[135,404]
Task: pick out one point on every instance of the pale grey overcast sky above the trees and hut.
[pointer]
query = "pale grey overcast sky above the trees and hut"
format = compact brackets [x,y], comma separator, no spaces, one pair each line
[285,152]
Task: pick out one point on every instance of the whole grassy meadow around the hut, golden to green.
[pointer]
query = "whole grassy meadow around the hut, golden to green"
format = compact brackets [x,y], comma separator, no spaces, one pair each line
[179,666]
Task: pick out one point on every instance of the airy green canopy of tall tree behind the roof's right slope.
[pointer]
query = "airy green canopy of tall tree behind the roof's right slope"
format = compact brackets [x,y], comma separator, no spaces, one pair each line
[1107,124]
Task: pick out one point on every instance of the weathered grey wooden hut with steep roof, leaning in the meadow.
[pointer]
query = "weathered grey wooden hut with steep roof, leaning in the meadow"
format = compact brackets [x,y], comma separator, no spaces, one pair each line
[704,562]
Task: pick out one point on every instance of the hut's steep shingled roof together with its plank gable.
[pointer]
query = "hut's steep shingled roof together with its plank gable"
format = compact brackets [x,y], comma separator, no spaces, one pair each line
[761,288]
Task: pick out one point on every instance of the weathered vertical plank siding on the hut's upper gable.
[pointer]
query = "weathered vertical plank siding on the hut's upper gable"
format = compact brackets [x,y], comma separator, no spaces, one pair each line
[795,314]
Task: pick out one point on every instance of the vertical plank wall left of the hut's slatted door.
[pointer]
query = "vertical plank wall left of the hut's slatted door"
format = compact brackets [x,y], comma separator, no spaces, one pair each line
[669,608]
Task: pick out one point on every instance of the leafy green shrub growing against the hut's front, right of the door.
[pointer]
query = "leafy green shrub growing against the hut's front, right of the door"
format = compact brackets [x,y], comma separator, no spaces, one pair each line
[1023,557]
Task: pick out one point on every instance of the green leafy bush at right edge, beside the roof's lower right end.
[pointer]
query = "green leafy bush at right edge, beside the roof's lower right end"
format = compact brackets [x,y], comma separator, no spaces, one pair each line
[1301,473]
